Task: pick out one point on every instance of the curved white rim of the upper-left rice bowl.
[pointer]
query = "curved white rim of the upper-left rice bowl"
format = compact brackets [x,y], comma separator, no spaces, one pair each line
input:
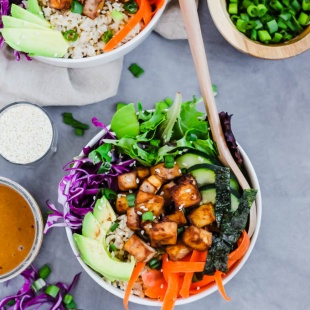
[121,50]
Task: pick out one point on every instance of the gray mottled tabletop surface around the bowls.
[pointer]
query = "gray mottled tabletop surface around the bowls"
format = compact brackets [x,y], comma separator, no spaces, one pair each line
[271,106]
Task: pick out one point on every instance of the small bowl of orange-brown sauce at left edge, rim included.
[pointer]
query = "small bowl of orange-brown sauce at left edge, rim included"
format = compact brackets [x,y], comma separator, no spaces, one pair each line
[21,229]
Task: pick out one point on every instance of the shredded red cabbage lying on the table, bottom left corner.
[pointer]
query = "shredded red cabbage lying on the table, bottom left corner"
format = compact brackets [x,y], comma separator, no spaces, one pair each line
[26,297]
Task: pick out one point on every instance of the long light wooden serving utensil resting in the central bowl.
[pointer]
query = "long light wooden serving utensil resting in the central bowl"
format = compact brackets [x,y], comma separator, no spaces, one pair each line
[191,19]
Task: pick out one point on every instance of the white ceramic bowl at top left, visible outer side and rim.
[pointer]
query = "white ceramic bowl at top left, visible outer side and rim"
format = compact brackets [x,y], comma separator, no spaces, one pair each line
[109,56]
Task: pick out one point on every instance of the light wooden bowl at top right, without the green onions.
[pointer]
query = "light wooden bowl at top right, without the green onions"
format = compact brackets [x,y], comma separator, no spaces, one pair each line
[220,16]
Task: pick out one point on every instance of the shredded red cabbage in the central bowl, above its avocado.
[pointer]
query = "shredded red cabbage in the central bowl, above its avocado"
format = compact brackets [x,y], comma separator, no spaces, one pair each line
[77,190]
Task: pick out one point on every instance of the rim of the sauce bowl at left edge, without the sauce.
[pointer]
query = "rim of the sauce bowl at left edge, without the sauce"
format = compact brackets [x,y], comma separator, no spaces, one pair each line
[38,226]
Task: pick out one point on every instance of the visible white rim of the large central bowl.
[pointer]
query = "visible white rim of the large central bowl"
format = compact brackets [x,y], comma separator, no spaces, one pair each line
[149,302]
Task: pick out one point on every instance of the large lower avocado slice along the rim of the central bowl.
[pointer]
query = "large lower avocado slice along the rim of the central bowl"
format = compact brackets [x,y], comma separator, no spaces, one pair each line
[95,256]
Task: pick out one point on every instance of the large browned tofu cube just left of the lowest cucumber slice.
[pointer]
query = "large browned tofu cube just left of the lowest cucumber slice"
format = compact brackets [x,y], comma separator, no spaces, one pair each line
[185,195]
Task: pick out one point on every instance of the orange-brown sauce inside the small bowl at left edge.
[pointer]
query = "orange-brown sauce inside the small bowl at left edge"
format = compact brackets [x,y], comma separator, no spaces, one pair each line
[17,229]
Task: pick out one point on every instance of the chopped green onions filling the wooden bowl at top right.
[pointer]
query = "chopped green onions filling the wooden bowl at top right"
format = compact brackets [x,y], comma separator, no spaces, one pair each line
[272,21]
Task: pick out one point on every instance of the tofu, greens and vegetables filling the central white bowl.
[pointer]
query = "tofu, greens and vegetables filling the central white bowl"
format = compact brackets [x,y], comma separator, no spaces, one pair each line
[173,144]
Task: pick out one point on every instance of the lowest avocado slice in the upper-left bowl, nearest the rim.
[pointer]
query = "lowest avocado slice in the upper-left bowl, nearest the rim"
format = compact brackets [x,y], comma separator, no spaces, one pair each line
[36,42]
